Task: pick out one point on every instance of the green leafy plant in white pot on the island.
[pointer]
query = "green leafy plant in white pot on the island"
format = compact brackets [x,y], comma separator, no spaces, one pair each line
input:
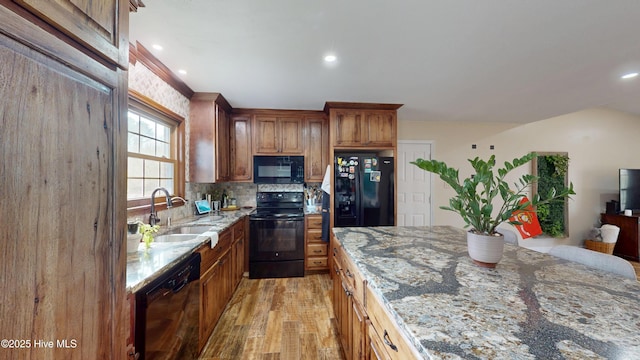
[474,201]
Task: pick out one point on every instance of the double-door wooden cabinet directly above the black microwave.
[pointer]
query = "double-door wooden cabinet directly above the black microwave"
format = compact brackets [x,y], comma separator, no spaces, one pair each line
[278,135]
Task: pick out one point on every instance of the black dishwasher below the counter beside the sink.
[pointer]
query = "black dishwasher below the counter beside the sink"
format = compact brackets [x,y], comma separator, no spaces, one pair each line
[167,313]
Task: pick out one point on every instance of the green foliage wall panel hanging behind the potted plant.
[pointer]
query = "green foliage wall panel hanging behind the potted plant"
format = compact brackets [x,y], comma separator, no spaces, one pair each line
[552,170]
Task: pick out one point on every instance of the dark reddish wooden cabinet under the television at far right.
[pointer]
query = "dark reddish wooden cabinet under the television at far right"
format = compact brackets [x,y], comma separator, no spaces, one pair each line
[627,246]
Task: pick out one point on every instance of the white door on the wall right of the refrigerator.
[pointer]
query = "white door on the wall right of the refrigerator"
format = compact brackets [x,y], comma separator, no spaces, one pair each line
[414,184]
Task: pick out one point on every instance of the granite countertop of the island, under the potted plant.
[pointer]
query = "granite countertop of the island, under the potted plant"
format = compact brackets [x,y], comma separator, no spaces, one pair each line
[531,306]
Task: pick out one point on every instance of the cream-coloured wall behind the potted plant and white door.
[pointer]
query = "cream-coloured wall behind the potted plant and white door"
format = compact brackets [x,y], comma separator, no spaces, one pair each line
[599,141]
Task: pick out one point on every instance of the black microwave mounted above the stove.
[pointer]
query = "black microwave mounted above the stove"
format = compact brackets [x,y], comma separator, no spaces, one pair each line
[278,169]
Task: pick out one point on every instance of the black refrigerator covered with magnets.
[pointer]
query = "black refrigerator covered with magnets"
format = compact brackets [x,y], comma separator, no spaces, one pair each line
[363,190]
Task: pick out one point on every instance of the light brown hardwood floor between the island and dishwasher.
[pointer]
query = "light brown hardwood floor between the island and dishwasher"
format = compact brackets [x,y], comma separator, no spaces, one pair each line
[277,319]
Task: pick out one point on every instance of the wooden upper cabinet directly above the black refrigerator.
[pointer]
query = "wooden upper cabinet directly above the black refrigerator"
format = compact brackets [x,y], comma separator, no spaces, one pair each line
[362,125]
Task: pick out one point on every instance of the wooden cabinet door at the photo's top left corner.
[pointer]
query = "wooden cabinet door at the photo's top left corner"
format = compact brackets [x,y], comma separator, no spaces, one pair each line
[94,24]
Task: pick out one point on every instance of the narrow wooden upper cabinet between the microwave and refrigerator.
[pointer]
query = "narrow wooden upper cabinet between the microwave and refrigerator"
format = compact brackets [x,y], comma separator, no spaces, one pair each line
[316,154]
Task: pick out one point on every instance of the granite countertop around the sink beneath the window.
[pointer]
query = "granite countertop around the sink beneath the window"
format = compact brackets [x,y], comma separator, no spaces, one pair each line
[146,265]
